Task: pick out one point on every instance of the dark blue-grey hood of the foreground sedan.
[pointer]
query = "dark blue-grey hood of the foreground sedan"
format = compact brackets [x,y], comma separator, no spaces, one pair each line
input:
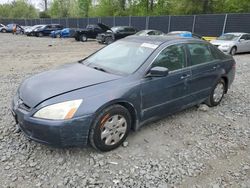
[70,77]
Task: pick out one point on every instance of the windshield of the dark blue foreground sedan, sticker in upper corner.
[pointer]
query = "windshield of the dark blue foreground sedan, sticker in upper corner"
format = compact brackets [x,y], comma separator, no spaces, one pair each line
[128,57]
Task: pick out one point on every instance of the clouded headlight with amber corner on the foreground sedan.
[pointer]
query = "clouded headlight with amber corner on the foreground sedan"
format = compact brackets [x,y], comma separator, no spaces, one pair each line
[59,111]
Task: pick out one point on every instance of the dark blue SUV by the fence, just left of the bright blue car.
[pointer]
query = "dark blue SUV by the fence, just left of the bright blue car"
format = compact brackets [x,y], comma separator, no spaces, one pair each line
[47,29]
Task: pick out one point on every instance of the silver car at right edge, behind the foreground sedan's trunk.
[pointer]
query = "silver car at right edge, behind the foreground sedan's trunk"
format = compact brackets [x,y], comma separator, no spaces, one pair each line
[232,43]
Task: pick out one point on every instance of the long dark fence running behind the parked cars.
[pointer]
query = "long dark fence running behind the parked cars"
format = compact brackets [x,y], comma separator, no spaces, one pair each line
[205,25]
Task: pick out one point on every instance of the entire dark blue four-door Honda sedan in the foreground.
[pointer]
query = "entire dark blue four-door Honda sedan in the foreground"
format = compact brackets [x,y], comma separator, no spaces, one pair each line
[119,88]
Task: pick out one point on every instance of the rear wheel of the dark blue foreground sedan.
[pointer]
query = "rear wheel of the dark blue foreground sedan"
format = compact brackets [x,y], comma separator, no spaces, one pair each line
[217,93]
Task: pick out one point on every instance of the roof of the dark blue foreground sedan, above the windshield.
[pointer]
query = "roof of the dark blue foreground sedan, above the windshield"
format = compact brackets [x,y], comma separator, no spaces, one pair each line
[158,40]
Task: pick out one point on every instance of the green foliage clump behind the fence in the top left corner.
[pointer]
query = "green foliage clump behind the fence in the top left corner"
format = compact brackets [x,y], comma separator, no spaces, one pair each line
[18,9]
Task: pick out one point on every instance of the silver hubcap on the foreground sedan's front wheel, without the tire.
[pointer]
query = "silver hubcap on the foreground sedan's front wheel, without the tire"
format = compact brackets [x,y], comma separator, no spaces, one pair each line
[114,129]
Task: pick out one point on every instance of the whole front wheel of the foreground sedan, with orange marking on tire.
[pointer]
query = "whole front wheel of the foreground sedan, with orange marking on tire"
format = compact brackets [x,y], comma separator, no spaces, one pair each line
[104,133]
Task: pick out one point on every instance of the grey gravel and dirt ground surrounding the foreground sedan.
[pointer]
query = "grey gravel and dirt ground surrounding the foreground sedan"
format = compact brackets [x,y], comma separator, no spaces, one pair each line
[199,147]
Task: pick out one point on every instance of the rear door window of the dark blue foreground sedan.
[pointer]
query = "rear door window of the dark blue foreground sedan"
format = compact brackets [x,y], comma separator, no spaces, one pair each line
[199,53]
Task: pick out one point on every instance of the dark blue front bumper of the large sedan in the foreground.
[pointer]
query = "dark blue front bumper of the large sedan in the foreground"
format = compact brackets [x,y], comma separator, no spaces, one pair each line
[63,133]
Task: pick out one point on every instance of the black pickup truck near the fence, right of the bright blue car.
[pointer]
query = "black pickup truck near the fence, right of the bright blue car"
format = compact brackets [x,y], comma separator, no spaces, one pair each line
[91,31]
